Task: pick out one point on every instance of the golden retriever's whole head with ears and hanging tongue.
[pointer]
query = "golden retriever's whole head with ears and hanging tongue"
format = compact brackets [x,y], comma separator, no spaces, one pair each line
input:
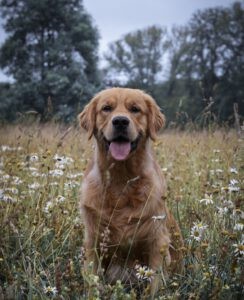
[121,118]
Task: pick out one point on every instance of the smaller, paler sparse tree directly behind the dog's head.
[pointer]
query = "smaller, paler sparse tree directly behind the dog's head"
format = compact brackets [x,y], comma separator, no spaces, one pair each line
[136,59]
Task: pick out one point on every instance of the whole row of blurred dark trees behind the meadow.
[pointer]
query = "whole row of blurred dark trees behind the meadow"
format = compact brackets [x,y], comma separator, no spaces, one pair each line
[195,72]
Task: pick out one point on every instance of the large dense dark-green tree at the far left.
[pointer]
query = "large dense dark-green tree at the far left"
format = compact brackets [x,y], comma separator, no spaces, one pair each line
[51,52]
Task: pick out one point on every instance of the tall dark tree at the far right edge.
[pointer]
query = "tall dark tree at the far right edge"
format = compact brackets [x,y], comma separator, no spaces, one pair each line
[210,59]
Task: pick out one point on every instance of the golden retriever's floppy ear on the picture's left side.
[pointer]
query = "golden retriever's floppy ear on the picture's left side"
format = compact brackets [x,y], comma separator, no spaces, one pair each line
[87,117]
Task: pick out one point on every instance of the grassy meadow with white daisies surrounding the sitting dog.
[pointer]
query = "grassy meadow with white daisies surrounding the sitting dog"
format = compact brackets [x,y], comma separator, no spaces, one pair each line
[41,232]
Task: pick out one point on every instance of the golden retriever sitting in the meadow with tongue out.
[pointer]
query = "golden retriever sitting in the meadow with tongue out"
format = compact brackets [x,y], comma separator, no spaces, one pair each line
[126,220]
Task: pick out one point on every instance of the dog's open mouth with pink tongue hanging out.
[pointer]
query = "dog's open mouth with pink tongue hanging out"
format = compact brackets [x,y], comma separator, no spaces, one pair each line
[121,147]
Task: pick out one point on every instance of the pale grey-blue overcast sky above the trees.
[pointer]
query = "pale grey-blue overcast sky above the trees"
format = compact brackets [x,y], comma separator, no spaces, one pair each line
[116,18]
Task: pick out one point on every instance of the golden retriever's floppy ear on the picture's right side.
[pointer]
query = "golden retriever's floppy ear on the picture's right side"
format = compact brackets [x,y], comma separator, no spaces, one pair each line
[156,119]
